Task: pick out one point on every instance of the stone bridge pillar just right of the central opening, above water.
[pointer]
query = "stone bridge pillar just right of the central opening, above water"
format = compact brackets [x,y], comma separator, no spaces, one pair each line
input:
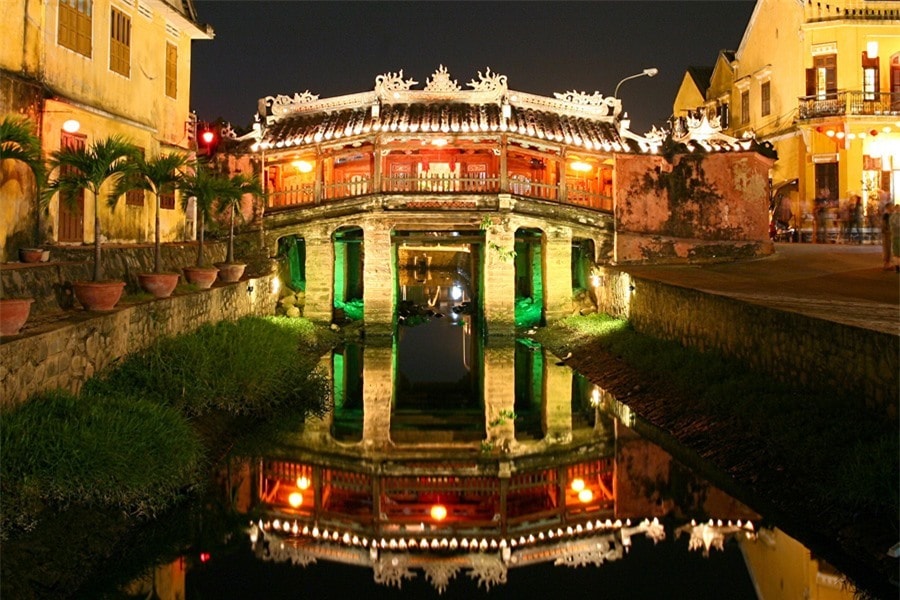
[499,287]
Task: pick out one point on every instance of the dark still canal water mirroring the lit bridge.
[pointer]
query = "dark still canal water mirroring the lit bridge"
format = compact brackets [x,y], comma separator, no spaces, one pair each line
[451,467]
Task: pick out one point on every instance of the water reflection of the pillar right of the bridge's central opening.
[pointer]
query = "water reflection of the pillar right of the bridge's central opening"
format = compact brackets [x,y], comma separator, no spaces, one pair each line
[500,395]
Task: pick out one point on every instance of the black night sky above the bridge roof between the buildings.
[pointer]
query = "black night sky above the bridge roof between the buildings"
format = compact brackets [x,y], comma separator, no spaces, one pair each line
[265,47]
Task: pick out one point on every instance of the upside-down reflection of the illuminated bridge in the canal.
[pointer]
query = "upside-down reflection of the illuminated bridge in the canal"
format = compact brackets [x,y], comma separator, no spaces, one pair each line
[574,493]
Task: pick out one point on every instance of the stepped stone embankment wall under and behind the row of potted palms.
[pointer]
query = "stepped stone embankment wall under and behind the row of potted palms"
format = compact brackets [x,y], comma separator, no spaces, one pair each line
[62,345]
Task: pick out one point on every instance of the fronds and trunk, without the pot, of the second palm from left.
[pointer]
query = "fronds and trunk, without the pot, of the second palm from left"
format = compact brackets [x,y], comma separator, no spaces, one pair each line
[89,168]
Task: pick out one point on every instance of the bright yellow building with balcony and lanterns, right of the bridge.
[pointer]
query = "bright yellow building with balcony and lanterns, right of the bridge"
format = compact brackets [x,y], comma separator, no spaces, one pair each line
[821,81]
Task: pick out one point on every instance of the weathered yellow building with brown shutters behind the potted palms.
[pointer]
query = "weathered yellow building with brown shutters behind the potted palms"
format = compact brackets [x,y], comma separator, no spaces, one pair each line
[82,70]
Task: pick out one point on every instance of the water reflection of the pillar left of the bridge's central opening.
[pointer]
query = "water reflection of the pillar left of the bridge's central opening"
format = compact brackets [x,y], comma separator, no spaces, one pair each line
[378,389]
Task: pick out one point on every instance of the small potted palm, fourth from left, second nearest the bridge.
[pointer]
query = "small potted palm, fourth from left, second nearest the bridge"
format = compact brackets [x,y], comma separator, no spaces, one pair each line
[205,185]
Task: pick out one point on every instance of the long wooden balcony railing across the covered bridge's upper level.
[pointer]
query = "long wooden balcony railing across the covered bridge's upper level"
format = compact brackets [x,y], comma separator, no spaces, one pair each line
[582,193]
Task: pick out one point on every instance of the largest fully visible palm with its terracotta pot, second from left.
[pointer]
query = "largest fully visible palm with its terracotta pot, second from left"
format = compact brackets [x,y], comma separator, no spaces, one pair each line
[90,168]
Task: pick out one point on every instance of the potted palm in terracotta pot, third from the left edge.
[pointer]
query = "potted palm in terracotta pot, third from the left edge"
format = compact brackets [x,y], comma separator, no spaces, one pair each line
[157,175]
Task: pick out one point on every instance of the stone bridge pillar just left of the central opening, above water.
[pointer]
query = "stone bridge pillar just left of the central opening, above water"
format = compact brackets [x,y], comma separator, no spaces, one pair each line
[378,279]
